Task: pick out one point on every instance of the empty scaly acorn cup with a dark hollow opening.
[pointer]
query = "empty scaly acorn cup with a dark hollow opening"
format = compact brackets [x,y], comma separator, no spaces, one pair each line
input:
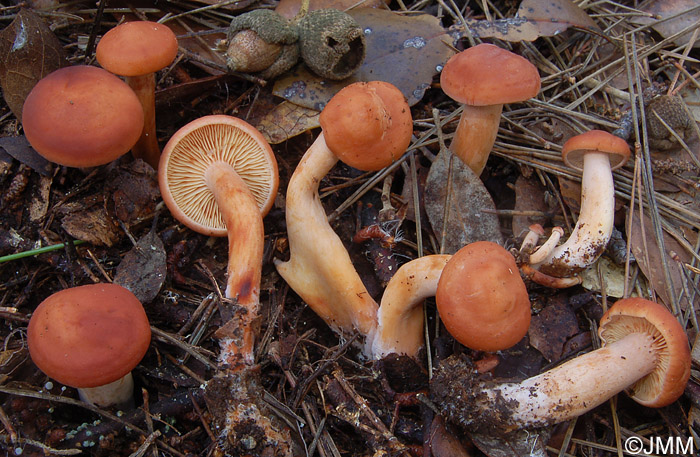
[332,43]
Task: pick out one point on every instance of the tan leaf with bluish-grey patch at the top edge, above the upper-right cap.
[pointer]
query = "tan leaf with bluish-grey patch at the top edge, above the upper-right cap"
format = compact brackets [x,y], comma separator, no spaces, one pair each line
[535,18]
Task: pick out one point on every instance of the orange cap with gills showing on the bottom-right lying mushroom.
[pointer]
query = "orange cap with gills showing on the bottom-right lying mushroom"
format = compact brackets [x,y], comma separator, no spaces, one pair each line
[631,315]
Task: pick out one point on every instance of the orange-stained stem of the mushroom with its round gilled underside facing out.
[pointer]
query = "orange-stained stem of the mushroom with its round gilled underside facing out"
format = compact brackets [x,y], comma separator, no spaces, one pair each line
[246,237]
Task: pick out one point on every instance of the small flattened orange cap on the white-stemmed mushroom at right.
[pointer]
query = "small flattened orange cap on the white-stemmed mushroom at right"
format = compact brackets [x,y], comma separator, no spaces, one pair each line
[599,141]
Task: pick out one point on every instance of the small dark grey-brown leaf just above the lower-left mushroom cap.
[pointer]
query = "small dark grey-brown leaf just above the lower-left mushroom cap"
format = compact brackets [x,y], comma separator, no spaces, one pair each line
[143,268]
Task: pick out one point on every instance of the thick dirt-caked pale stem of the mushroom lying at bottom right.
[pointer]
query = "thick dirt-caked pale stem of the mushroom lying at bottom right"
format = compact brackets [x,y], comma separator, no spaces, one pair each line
[555,396]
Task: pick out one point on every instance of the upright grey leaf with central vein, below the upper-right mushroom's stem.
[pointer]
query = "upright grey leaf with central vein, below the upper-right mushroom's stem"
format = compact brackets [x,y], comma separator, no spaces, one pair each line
[466,220]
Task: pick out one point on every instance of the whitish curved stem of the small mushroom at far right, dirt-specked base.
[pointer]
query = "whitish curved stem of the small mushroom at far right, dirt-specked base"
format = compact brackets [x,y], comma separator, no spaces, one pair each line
[595,222]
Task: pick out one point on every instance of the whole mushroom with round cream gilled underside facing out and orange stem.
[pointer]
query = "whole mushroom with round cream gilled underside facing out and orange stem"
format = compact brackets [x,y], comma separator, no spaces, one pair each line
[218,176]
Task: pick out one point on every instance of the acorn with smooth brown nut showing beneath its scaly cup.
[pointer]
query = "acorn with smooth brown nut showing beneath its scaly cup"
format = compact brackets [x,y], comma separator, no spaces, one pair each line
[261,41]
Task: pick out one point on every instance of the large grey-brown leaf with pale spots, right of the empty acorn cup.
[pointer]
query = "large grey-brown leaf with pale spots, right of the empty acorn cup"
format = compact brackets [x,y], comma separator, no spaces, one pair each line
[406,51]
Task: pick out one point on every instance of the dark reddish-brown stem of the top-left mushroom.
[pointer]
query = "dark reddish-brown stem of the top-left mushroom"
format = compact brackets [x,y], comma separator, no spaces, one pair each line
[146,147]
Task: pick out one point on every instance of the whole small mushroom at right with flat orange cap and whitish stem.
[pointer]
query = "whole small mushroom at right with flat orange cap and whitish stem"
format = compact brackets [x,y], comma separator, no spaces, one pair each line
[597,153]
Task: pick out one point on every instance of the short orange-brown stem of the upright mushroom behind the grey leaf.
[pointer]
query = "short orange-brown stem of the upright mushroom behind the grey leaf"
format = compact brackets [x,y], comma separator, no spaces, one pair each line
[476,134]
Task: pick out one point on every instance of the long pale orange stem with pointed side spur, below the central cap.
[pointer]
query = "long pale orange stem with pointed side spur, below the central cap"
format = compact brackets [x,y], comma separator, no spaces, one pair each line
[319,268]
